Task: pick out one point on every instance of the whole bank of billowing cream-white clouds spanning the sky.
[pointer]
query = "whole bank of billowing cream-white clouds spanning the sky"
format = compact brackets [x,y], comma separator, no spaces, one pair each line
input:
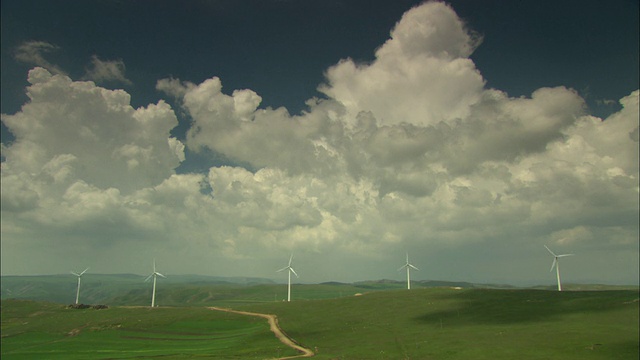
[409,151]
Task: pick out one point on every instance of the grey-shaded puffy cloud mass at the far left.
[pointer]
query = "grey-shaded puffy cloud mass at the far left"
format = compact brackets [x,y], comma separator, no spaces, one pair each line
[72,131]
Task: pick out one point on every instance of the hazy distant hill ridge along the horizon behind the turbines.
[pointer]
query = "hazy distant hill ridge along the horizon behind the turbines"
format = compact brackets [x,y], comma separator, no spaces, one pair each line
[200,290]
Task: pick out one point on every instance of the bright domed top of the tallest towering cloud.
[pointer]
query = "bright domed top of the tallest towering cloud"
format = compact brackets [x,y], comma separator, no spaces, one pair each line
[422,75]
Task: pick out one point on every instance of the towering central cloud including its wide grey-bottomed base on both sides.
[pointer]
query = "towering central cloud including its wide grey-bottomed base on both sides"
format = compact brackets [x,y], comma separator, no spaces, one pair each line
[402,118]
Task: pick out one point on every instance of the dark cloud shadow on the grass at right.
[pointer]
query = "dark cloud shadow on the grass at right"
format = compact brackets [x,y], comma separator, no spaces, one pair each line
[519,306]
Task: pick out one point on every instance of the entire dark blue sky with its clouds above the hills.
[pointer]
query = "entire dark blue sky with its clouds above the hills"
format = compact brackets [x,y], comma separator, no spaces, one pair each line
[220,137]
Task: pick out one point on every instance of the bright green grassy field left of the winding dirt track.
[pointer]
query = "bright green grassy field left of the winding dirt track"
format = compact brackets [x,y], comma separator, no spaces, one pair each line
[36,330]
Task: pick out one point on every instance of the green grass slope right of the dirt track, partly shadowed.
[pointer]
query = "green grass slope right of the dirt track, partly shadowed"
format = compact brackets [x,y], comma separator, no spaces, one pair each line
[466,324]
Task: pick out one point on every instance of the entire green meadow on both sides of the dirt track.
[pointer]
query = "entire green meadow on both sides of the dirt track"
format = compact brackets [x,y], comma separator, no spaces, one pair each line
[423,323]
